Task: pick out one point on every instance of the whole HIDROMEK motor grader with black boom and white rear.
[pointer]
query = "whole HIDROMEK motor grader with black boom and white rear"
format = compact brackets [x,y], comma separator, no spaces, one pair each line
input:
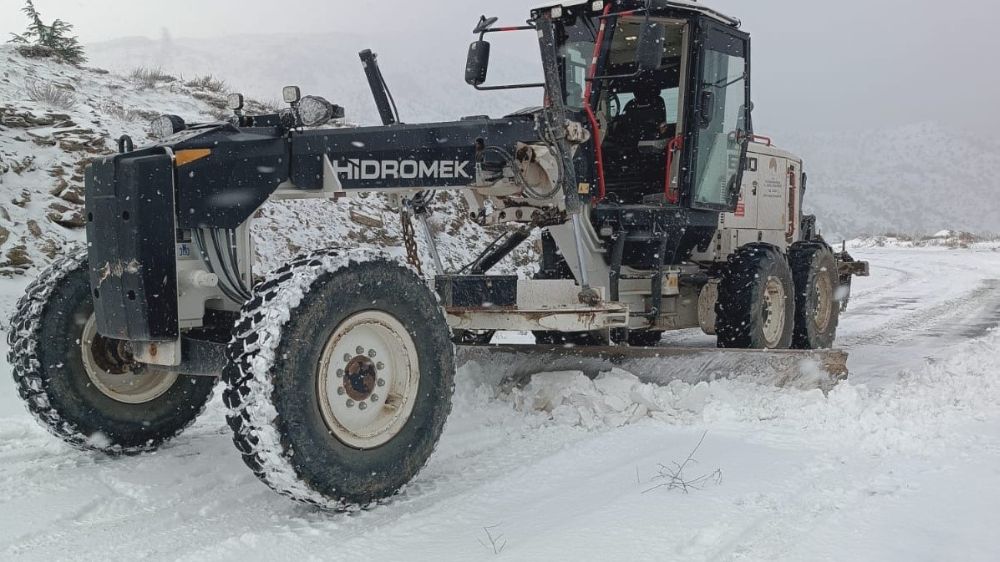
[658,206]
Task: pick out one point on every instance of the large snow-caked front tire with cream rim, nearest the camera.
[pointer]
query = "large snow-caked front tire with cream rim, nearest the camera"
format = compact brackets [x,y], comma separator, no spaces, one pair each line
[340,379]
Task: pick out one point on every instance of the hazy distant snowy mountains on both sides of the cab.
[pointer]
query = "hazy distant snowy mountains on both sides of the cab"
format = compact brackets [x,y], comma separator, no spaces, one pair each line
[917,179]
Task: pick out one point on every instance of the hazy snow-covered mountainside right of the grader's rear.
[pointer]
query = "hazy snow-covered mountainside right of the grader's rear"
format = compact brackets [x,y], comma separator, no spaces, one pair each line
[916,180]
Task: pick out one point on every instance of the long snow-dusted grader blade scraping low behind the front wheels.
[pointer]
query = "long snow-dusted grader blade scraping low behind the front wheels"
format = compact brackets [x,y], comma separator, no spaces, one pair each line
[805,370]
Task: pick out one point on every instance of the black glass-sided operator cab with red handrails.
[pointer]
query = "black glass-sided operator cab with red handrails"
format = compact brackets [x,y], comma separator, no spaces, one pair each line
[690,113]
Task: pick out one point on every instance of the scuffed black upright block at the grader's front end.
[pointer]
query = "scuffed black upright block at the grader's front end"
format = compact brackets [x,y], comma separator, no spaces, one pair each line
[130,229]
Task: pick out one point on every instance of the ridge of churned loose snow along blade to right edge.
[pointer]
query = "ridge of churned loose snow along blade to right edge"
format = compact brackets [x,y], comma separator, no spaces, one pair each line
[910,415]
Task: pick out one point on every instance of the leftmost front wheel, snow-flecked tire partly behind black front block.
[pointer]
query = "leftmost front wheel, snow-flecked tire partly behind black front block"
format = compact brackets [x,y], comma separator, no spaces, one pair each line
[80,386]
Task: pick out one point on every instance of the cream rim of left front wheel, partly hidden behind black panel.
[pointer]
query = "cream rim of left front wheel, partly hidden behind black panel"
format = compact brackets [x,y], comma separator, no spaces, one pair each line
[112,371]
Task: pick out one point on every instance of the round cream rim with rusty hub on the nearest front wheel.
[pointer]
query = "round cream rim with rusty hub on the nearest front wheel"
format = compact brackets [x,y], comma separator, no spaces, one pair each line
[369,375]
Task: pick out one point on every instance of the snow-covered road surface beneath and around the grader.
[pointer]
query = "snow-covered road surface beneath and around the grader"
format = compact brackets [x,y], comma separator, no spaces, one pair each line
[901,463]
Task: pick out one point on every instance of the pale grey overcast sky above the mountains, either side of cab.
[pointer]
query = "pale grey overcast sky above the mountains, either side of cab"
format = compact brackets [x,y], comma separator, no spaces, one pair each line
[818,64]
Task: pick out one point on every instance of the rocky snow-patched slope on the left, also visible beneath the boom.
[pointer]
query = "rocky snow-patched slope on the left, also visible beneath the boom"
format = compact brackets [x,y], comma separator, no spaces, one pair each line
[54,117]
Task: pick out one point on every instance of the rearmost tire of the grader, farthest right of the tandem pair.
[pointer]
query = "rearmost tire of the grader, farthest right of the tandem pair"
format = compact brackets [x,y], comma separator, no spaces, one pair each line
[817,311]
